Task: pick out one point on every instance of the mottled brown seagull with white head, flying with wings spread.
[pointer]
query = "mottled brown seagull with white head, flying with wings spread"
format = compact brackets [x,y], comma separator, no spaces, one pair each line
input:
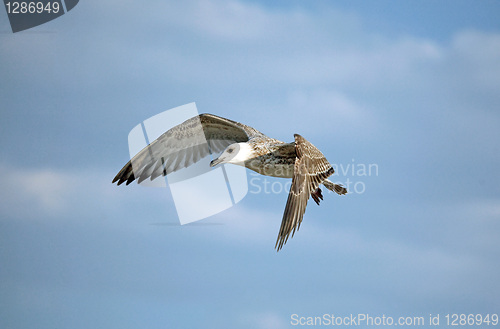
[186,143]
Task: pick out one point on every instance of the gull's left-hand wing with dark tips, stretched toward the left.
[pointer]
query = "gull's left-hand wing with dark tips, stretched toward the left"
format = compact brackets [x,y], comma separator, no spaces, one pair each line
[184,145]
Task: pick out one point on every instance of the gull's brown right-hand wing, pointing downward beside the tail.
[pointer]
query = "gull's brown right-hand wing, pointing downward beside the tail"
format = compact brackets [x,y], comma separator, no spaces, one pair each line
[310,170]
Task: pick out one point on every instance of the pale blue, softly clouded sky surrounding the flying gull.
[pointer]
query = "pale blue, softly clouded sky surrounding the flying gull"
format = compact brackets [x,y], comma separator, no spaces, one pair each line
[411,87]
